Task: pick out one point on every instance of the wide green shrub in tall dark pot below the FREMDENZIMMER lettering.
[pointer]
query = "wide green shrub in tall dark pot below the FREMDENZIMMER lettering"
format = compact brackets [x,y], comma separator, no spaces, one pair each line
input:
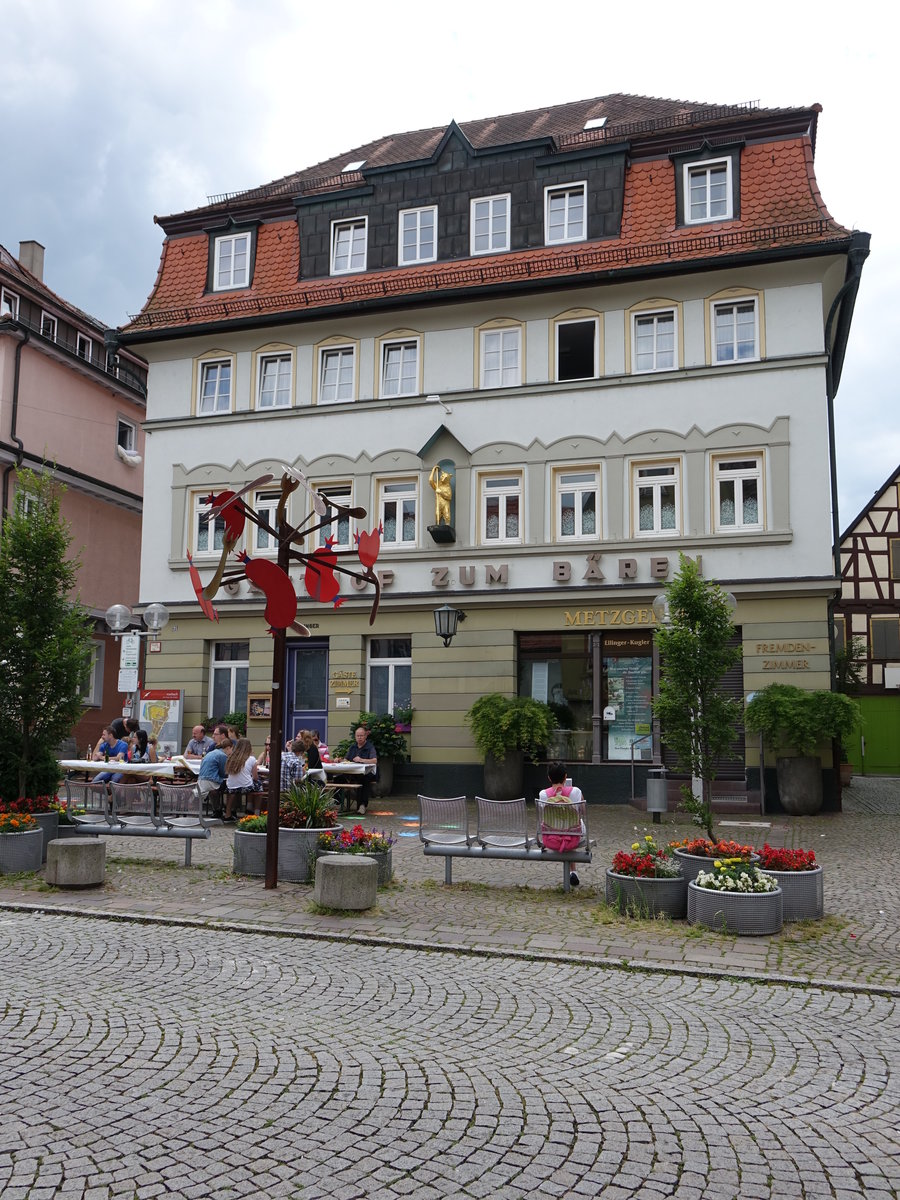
[800,722]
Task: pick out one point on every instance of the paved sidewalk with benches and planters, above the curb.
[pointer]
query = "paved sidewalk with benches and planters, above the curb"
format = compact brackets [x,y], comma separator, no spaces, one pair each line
[520,909]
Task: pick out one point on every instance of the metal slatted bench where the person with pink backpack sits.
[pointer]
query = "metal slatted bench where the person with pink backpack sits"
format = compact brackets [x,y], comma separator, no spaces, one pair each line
[502,832]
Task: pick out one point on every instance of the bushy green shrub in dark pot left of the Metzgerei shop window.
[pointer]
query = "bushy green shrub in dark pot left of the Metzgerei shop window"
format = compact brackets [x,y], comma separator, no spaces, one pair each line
[506,729]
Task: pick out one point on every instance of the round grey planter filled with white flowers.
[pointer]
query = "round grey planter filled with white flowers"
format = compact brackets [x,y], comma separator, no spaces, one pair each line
[736,898]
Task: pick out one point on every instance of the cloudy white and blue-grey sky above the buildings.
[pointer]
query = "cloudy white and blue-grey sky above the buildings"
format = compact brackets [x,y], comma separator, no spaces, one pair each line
[119,110]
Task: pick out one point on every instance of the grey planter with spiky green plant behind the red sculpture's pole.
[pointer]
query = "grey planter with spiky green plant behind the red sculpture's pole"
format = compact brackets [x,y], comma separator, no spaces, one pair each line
[304,814]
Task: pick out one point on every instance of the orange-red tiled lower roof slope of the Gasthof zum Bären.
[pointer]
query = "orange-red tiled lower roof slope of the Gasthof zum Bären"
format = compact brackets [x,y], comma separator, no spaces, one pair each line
[781,208]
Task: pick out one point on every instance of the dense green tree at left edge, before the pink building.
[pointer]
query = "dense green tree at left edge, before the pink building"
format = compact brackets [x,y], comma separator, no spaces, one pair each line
[45,639]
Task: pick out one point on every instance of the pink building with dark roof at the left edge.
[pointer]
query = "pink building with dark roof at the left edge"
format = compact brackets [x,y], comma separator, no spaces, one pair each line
[69,400]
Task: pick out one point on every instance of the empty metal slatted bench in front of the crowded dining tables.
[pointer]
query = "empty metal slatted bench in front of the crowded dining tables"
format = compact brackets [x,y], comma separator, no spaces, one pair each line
[131,811]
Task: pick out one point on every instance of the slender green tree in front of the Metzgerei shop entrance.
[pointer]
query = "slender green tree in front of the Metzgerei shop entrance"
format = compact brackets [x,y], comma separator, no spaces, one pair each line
[698,721]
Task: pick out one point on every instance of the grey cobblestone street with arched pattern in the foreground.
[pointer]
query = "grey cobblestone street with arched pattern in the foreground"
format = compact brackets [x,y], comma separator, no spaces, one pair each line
[148,1061]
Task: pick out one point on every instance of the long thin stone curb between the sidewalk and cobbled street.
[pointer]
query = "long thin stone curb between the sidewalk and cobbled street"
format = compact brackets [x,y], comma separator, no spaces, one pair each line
[598,962]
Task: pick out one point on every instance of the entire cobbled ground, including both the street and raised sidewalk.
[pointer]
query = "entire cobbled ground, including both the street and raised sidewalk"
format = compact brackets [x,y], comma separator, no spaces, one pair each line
[497,1039]
